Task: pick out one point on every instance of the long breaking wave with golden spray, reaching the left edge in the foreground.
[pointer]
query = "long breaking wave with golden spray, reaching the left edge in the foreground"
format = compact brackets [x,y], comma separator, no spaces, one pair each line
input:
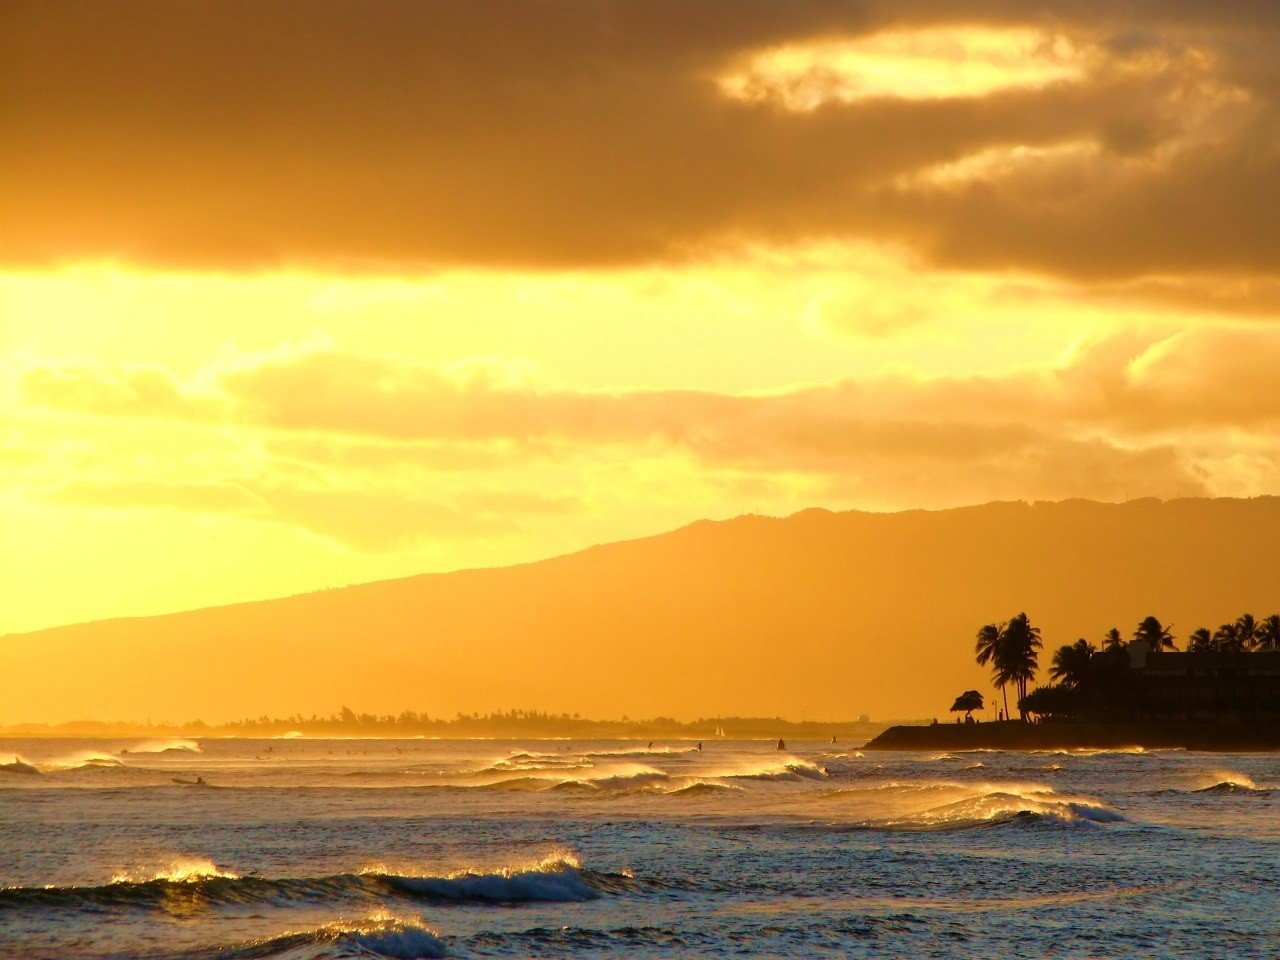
[556,879]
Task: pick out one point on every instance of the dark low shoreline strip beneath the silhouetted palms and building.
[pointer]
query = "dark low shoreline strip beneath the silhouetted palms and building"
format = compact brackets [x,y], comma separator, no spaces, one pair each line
[1016,735]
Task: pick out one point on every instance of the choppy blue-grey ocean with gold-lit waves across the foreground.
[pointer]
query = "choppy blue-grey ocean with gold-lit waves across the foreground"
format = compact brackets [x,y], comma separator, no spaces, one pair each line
[308,849]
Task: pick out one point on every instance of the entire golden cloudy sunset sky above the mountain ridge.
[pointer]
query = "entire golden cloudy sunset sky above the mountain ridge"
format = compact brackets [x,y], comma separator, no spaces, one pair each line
[316,292]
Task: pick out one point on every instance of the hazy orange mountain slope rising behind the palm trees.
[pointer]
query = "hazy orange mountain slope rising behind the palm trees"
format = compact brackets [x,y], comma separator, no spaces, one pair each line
[817,615]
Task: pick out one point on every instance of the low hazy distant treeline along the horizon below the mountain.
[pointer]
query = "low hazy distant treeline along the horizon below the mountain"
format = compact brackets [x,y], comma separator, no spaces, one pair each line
[502,725]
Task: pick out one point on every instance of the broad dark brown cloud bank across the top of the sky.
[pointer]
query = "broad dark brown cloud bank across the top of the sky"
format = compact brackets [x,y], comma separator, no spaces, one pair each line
[246,135]
